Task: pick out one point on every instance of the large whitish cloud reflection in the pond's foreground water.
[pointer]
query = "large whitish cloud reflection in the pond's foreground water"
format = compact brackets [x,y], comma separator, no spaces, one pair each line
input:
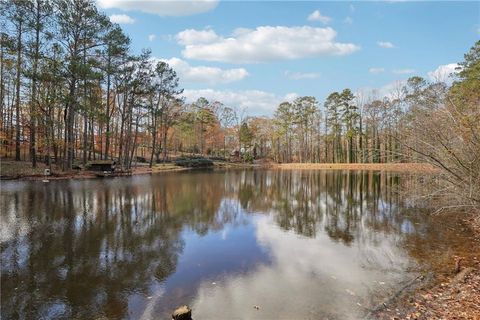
[308,278]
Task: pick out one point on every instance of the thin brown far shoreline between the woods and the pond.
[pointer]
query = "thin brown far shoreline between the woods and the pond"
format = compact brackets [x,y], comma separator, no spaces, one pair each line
[80,174]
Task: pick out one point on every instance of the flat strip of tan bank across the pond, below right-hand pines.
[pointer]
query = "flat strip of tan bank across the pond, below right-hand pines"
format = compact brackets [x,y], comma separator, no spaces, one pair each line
[395,167]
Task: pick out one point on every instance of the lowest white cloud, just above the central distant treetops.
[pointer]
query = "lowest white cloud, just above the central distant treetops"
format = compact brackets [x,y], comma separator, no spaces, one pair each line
[255,101]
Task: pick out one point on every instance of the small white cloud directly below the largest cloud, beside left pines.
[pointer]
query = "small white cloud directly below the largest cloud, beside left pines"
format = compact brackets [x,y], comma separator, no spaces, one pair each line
[204,74]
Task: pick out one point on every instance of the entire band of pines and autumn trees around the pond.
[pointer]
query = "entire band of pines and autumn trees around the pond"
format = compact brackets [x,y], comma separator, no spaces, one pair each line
[72,90]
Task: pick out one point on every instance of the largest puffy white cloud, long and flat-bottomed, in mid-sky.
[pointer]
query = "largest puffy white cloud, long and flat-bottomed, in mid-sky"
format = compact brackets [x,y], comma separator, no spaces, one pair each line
[265,43]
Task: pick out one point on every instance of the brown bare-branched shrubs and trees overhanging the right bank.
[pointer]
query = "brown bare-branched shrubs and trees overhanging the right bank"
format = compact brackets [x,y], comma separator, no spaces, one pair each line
[445,131]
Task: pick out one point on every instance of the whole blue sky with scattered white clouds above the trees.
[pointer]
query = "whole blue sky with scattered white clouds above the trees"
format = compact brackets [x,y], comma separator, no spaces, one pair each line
[255,54]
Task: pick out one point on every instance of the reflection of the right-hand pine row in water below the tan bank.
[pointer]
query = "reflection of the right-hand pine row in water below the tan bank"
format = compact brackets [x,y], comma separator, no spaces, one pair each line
[356,206]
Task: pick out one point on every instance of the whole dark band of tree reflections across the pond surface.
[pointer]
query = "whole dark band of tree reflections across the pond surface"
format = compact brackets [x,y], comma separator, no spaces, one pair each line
[86,246]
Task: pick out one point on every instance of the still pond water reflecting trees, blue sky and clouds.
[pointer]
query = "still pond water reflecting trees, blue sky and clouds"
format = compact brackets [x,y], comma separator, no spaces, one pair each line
[297,244]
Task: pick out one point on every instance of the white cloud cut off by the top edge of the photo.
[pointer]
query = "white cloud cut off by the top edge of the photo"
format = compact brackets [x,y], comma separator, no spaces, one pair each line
[161,7]
